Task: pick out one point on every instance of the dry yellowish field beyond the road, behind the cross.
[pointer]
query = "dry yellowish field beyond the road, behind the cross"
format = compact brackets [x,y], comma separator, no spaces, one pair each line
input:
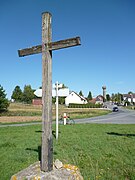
[25,113]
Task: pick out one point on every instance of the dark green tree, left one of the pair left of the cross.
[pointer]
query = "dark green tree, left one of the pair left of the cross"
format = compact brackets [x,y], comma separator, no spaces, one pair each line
[17,94]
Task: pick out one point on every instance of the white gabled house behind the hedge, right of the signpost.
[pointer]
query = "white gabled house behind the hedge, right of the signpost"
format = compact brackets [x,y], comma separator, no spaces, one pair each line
[74,98]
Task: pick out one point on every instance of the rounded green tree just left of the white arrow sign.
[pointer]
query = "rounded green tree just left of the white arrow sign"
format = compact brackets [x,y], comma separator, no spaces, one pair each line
[28,94]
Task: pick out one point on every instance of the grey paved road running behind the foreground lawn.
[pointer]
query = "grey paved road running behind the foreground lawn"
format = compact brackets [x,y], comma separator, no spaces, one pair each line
[123,116]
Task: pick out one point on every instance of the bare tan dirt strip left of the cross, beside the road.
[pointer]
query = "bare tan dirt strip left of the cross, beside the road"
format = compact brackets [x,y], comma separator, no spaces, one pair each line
[6,119]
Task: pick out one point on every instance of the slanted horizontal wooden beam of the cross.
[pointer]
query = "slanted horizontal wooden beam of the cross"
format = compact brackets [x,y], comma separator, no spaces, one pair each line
[50,46]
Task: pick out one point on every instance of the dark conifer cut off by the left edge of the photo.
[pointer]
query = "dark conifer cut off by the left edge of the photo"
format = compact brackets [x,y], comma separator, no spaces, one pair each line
[3,101]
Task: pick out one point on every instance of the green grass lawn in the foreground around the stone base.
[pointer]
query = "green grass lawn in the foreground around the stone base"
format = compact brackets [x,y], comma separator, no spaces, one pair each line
[101,151]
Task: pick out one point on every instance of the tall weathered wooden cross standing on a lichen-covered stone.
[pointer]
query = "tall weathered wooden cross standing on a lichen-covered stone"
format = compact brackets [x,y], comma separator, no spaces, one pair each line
[46,50]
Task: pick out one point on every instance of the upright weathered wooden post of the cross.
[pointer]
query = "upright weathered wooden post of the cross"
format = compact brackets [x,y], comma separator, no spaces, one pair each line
[47,143]
